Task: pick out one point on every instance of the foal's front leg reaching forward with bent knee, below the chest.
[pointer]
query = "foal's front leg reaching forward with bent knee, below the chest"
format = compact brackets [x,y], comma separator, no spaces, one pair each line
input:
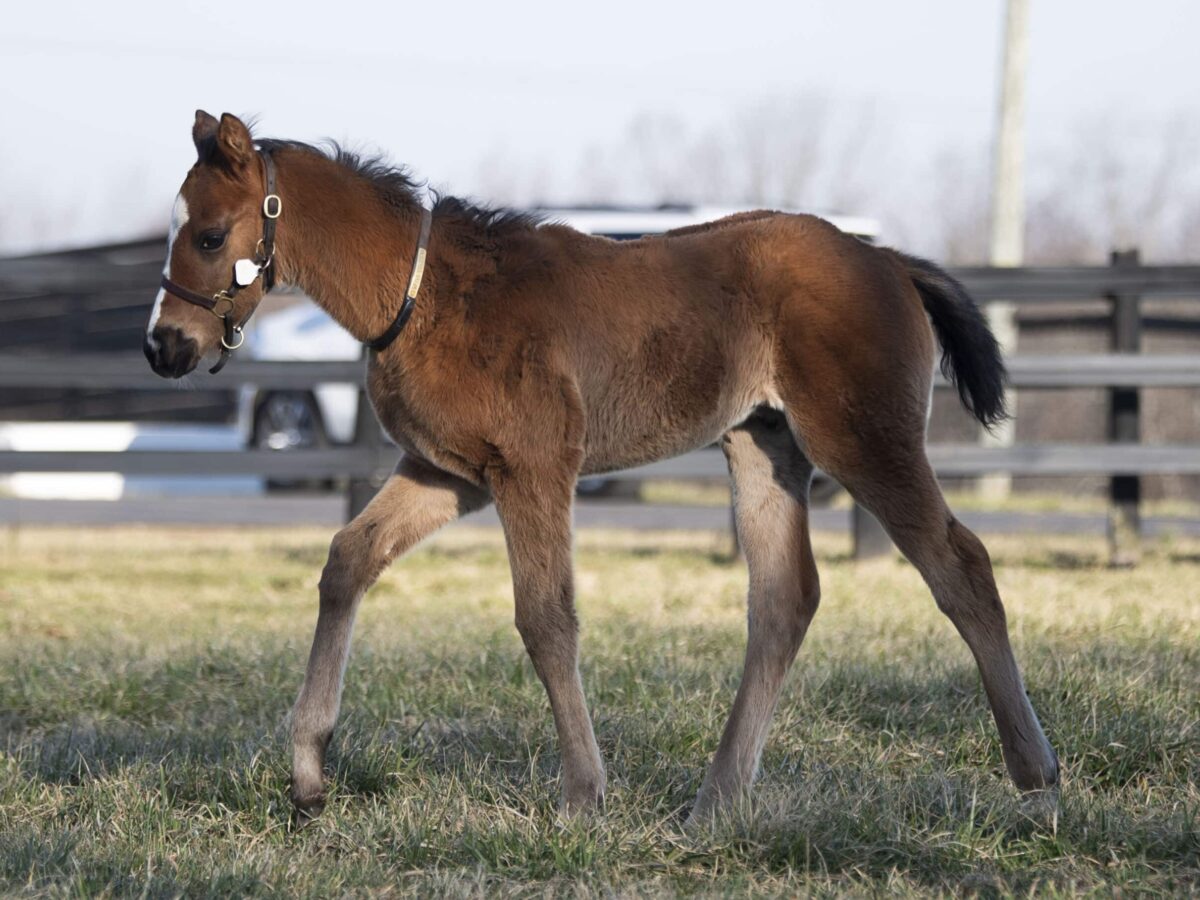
[417,501]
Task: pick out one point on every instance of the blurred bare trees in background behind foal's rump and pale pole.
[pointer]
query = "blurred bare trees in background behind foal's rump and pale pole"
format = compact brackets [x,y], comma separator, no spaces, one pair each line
[1113,183]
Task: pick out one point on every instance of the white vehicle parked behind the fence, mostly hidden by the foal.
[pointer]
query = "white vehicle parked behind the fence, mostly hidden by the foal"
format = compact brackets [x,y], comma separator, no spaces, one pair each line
[283,421]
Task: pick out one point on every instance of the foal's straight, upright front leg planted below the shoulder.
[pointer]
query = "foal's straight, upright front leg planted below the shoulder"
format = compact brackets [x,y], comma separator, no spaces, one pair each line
[536,512]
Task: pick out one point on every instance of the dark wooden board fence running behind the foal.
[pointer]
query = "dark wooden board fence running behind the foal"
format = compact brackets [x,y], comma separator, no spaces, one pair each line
[369,459]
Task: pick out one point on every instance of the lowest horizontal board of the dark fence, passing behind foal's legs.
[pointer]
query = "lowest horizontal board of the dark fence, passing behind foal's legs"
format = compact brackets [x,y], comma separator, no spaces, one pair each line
[947,460]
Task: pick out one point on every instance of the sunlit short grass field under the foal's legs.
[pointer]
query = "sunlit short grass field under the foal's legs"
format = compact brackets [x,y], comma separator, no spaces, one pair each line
[146,677]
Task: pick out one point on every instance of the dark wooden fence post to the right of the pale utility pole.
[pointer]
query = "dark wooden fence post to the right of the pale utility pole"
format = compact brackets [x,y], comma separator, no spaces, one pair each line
[1125,425]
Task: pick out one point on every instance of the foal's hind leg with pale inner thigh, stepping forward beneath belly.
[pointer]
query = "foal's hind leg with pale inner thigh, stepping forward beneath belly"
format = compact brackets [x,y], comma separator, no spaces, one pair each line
[771,488]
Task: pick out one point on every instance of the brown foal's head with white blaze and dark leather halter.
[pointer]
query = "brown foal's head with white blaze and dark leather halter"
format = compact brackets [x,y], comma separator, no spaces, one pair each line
[217,227]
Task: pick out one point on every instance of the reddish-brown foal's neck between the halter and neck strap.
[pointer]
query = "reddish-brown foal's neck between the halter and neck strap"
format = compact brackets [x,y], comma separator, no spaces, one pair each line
[343,243]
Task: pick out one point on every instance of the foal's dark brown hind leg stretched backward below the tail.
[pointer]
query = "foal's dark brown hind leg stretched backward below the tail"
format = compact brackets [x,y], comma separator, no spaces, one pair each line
[883,463]
